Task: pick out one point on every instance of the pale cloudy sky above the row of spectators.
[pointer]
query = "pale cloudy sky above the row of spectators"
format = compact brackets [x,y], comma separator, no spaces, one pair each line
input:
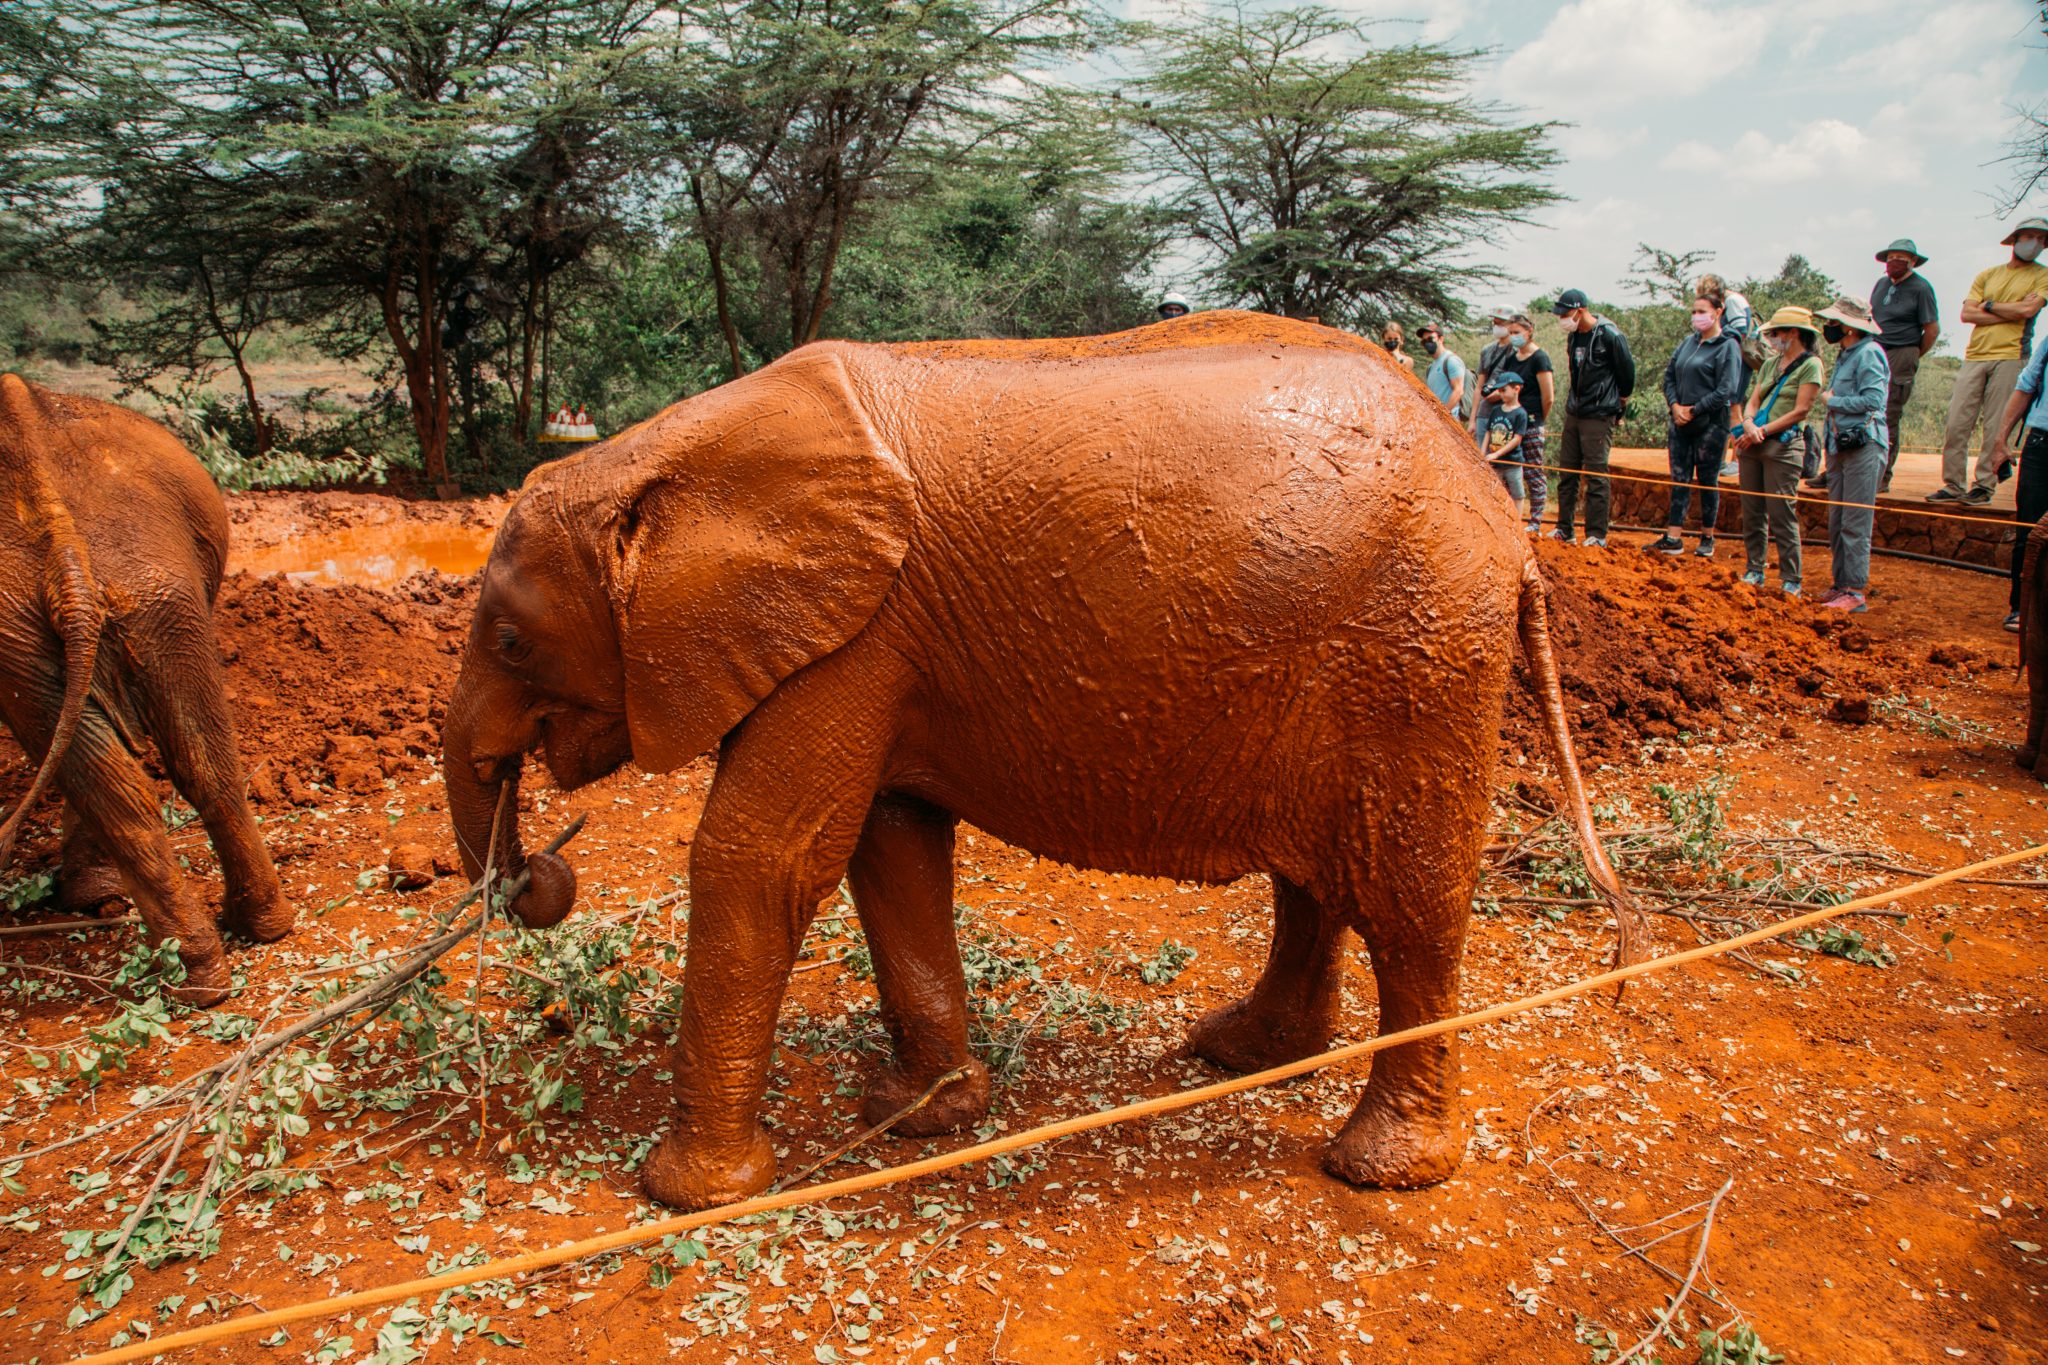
[1756,128]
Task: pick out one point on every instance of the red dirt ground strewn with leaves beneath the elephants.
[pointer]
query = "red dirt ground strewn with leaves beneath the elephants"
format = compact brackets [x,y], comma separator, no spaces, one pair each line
[1889,1182]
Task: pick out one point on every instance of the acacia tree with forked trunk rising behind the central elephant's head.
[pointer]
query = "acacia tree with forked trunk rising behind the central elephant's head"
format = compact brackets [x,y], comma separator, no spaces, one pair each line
[798,114]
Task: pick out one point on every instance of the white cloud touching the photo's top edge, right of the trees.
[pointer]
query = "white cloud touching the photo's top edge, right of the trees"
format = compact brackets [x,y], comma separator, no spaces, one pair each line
[1617,52]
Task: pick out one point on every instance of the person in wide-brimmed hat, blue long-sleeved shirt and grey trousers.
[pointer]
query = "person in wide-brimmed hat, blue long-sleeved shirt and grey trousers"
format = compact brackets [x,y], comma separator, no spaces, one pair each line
[1857,445]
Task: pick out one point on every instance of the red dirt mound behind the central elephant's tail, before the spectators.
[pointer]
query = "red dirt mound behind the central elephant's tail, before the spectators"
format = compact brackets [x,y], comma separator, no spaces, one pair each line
[1652,648]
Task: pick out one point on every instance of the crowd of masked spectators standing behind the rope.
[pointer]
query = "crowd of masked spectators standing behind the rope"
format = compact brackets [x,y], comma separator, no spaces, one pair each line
[1752,388]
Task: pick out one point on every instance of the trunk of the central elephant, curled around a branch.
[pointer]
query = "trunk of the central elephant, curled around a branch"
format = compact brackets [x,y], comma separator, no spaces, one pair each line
[484,801]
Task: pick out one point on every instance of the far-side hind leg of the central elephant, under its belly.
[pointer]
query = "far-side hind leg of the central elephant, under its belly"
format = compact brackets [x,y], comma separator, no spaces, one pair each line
[1293,1008]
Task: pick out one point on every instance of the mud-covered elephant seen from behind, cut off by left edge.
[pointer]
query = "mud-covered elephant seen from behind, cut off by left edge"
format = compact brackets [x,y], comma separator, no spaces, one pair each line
[110,562]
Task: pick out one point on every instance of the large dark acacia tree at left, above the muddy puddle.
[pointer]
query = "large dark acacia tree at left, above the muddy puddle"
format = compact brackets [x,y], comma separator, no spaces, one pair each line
[396,167]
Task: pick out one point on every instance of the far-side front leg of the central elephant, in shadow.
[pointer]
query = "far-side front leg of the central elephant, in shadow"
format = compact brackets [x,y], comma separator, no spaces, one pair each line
[902,881]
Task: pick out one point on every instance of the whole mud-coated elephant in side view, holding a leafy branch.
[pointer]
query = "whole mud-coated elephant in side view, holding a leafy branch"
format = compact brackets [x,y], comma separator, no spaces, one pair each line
[1209,599]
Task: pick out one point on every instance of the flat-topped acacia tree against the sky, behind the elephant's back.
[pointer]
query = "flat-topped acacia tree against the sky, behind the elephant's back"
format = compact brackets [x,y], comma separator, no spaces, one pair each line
[1328,175]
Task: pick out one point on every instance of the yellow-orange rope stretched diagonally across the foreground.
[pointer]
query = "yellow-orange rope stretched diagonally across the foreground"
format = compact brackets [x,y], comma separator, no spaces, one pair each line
[984,1151]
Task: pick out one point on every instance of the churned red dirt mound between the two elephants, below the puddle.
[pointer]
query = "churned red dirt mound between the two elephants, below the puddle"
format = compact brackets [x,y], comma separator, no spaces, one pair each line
[339,687]
